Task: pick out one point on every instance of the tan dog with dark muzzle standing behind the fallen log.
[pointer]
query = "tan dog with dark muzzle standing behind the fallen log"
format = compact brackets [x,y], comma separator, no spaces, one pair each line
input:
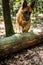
[23,21]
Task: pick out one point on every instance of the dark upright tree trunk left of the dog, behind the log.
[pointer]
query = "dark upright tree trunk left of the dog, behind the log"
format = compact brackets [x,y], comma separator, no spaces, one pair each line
[7,18]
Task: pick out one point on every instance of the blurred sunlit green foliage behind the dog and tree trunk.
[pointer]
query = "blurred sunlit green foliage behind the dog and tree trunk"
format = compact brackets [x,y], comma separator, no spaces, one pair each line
[15,5]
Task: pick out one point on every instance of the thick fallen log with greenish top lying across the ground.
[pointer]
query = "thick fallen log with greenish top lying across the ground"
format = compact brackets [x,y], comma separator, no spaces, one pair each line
[18,41]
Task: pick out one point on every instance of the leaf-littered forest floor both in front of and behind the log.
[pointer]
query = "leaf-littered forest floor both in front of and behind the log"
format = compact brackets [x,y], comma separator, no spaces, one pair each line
[30,56]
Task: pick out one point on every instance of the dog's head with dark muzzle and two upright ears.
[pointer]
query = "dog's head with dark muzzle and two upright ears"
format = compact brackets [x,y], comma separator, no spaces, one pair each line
[27,10]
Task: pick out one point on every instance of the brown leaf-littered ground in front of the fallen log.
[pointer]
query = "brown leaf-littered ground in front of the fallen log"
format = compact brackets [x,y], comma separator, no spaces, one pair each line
[29,56]
